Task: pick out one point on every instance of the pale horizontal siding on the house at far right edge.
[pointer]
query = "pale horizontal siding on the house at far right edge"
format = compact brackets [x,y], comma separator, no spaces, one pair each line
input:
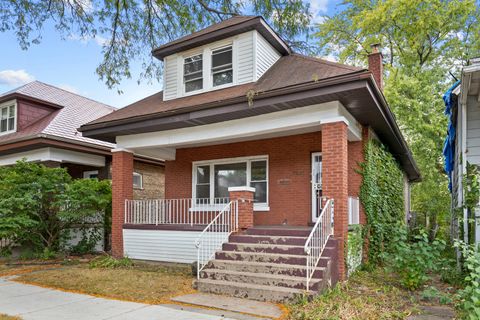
[473,131]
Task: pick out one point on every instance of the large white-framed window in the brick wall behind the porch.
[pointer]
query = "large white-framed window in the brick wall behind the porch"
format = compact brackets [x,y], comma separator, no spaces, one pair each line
[211,179]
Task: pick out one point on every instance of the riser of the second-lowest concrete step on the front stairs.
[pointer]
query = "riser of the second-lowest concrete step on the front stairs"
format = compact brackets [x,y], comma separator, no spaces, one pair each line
[260,280]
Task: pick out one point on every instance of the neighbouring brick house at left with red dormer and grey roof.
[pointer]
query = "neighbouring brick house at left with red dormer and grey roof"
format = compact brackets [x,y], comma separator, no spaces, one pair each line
[39,122]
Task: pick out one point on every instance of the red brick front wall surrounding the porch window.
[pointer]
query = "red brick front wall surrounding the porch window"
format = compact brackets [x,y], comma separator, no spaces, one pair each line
[289,174]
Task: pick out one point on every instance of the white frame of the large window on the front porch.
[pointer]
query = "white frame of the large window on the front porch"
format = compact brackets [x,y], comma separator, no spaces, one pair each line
[264,206]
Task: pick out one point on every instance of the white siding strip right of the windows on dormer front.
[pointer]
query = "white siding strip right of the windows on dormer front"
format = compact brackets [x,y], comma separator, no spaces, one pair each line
[245,58]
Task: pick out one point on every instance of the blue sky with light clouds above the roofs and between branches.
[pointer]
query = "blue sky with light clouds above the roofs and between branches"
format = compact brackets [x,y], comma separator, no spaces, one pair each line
[71,63]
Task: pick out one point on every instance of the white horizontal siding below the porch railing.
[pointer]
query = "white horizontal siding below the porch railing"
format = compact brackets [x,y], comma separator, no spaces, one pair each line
[161,245]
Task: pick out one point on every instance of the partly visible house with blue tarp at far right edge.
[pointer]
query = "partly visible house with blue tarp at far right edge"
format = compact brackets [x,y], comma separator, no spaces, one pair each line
[462,145]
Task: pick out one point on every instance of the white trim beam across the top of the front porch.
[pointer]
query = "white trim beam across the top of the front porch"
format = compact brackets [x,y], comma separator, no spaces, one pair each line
[294,121]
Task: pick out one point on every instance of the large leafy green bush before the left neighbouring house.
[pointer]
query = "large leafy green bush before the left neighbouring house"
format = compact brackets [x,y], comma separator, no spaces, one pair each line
[38,204]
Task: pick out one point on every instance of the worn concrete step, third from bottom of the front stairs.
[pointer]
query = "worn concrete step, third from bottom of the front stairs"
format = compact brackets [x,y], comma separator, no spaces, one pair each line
[262,267]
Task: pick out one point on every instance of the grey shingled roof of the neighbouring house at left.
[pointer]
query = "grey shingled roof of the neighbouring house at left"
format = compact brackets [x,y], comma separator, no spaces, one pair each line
[71,111]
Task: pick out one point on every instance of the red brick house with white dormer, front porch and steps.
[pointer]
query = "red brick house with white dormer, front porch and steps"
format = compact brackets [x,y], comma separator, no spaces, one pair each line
[253,137]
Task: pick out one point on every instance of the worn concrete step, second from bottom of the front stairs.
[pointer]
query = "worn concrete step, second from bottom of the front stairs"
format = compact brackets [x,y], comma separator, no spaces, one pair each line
[263,279]
